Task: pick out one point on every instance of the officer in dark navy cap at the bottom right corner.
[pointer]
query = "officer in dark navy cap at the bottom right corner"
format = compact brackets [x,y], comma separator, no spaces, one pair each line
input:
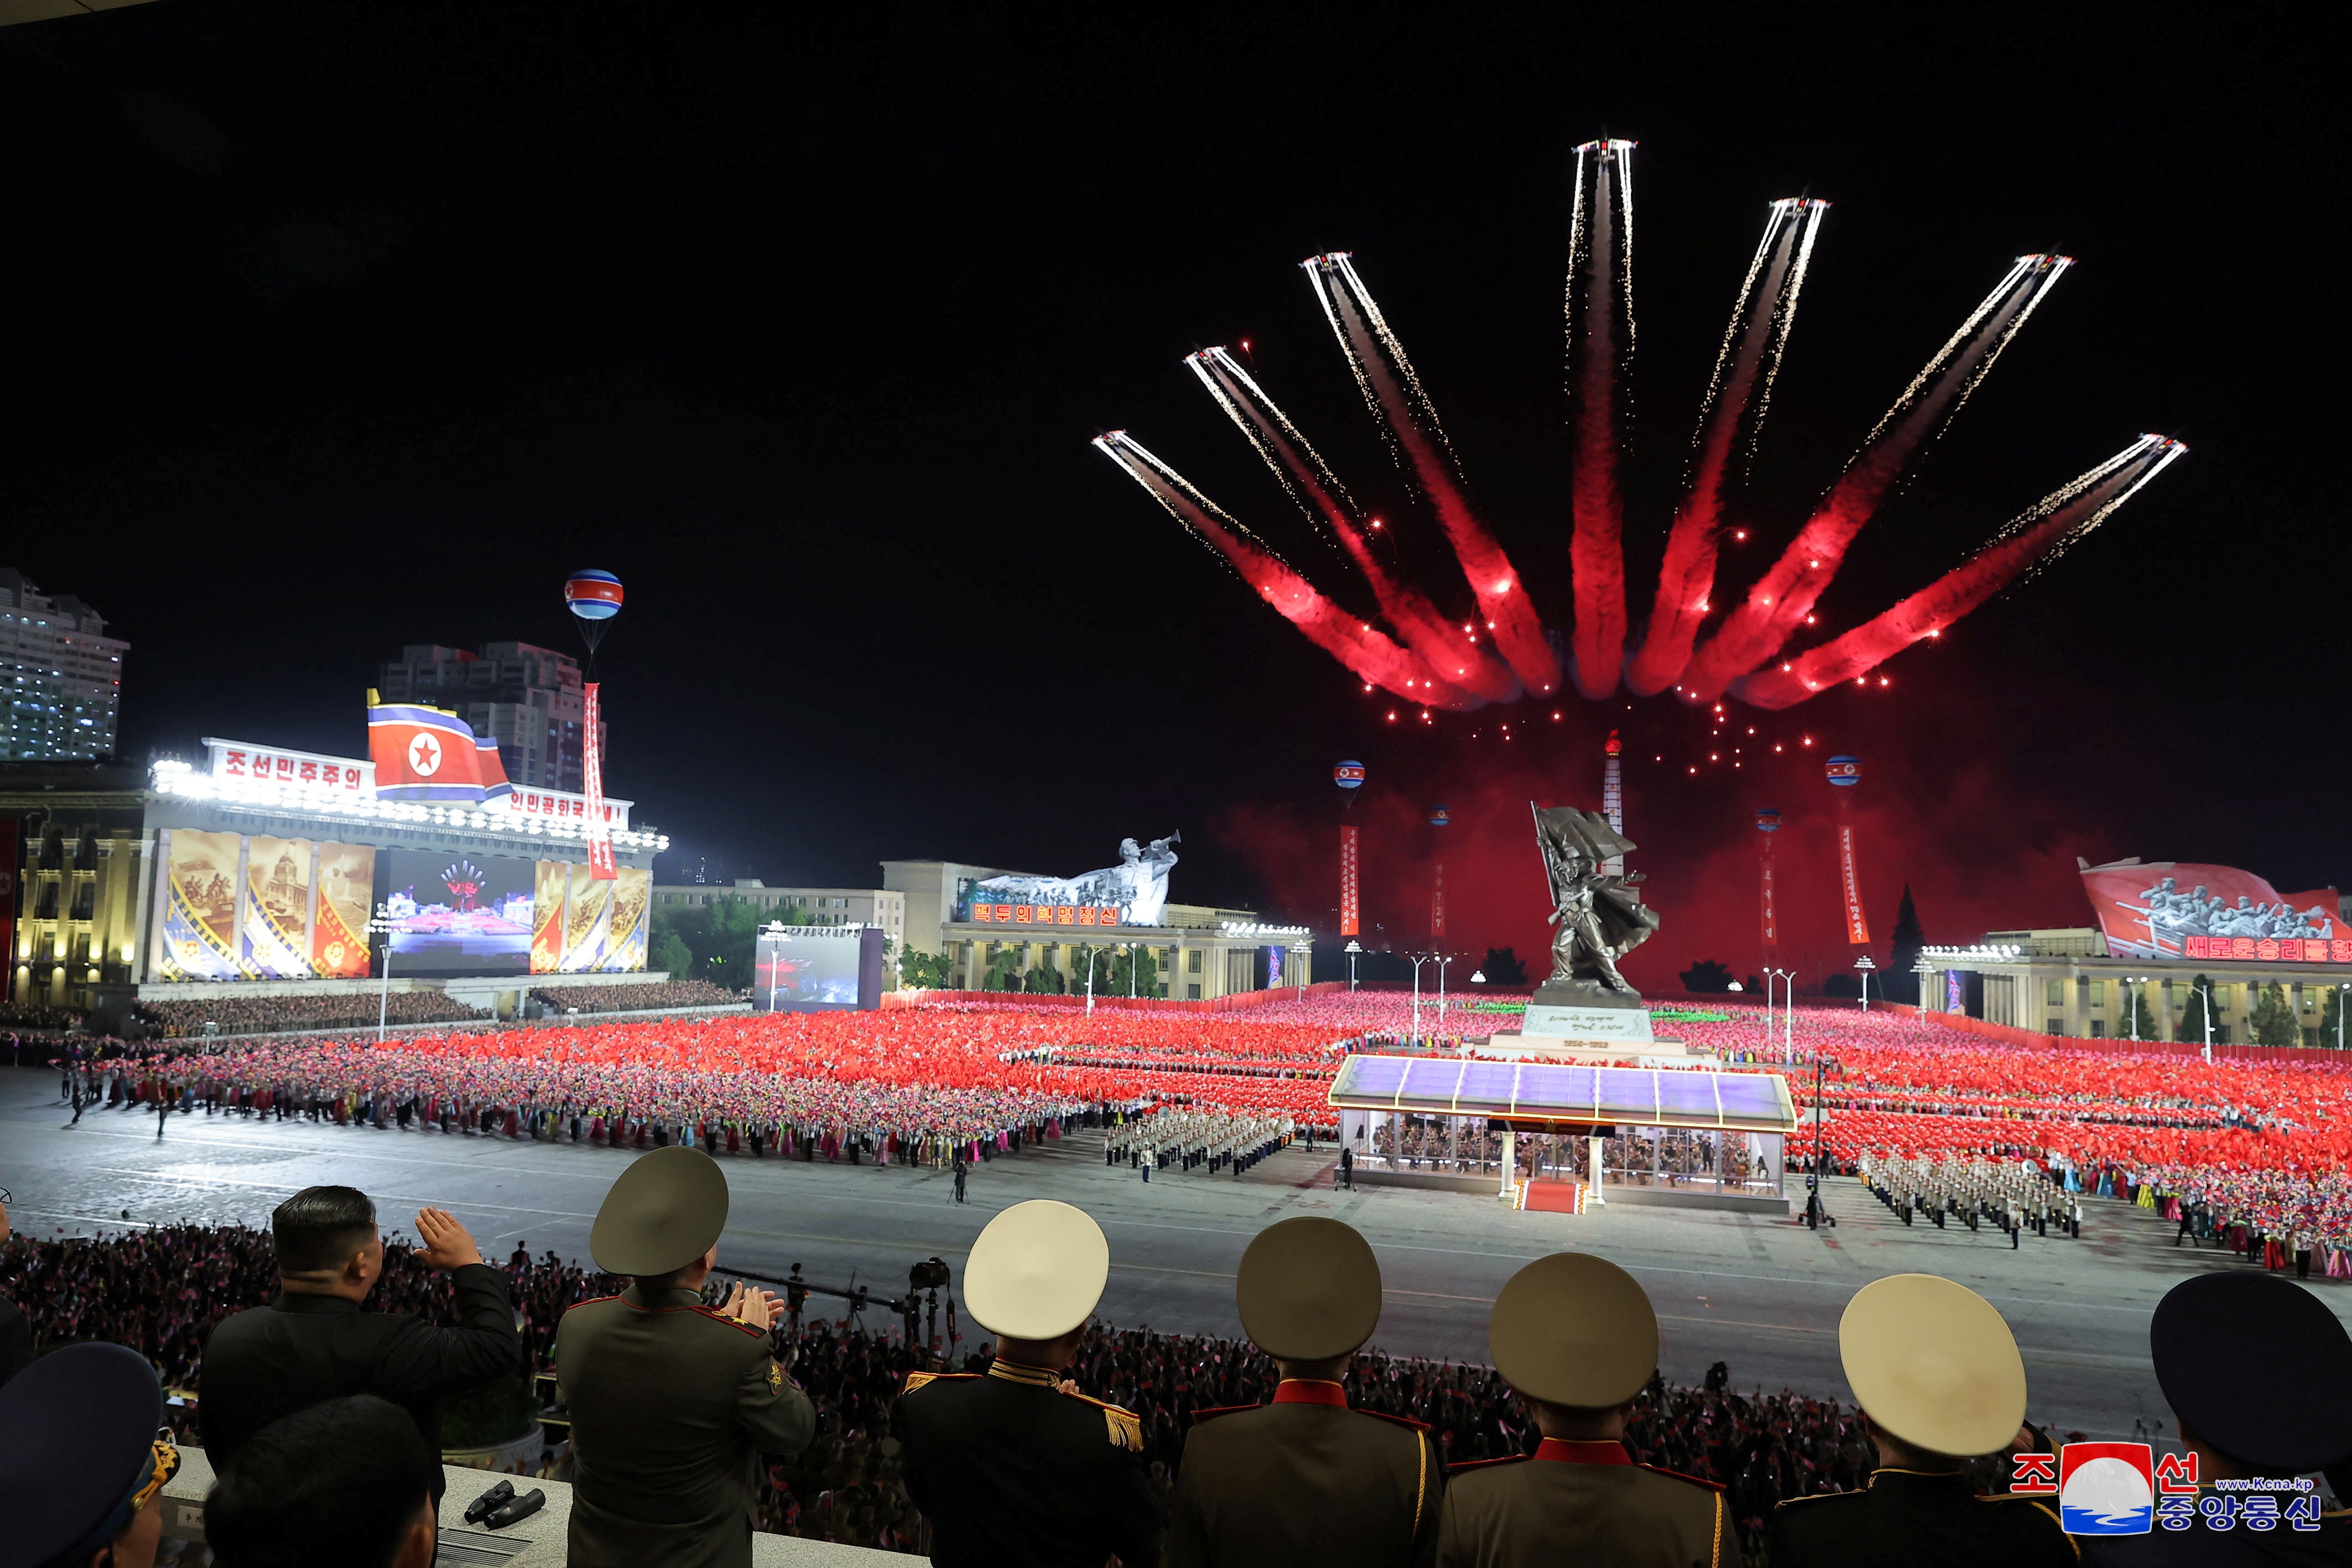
[2259,1376]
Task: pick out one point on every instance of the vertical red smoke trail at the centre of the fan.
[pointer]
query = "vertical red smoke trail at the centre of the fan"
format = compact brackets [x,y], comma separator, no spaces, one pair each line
[1601,255]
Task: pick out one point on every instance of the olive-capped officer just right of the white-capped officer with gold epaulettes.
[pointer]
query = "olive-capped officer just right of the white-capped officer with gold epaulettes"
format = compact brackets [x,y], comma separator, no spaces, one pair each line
[1307,1480]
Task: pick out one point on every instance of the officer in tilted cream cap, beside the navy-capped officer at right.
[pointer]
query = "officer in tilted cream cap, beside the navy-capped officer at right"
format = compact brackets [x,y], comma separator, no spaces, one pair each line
[1939,1381]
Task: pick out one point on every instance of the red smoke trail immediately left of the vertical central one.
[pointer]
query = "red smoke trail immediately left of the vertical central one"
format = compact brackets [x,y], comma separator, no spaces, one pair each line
[1396,396]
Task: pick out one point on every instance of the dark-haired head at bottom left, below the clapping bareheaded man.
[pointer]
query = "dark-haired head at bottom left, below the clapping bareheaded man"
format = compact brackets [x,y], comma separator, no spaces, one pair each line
[338,1482]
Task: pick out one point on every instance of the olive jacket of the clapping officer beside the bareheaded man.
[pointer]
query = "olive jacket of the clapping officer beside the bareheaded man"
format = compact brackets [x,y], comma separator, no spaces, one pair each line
[671,1407]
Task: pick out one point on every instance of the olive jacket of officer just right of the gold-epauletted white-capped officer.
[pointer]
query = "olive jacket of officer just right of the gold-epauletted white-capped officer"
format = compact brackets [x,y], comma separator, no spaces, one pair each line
[1307,1480]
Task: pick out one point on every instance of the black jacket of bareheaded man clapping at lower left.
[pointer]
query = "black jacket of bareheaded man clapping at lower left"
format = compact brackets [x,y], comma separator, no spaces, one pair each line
[302,1351]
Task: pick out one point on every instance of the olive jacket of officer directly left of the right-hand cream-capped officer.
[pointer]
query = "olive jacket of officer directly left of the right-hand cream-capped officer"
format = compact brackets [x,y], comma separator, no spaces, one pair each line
[1589,1506]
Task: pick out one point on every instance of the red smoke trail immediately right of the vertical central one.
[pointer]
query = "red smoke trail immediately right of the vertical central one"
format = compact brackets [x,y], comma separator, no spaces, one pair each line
[1744,375]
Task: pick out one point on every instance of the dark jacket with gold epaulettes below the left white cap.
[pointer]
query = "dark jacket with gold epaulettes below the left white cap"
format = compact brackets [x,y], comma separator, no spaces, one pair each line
[1013,1470]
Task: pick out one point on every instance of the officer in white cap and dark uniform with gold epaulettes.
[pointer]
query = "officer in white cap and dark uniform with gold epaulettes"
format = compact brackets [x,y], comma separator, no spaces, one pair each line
[1015,1466]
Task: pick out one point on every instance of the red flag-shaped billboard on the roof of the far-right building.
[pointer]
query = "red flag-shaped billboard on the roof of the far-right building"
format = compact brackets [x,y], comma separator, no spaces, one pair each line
[2184,911]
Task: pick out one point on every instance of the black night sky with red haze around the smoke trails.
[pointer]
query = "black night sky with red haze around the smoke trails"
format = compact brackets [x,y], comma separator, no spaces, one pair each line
[347,328]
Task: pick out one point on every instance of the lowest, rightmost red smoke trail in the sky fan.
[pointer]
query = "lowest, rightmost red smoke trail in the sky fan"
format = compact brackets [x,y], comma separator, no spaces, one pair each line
[2033,540]
